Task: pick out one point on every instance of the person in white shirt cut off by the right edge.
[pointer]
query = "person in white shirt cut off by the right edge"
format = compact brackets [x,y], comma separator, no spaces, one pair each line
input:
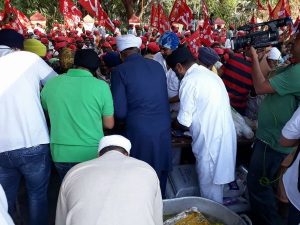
[291,178]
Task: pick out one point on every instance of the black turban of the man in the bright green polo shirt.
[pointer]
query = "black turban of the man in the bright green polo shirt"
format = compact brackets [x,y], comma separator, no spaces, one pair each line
[87,58]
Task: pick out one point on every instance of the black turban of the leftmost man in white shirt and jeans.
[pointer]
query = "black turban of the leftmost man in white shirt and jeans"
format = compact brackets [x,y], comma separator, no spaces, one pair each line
[11,38]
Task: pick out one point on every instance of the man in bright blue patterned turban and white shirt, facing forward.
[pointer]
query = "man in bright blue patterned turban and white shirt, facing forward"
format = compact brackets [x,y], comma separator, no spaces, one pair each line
[168,43]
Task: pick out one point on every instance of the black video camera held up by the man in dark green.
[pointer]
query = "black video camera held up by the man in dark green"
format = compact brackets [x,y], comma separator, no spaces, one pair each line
[262,38]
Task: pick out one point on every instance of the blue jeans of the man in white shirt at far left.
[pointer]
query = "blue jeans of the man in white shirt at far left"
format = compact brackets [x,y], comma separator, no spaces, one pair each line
[34,164]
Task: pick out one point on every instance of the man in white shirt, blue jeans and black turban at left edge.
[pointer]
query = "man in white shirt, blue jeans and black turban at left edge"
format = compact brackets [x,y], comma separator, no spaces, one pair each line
[24,138]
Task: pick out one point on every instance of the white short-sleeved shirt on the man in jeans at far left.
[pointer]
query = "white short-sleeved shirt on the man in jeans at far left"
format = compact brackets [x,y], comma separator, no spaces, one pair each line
[21,116]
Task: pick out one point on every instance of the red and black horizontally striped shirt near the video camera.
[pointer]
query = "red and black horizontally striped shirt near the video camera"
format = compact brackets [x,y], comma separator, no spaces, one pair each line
[238,81]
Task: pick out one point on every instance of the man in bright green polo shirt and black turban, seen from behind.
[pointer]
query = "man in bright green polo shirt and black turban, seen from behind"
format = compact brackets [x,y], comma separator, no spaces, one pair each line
[79,105]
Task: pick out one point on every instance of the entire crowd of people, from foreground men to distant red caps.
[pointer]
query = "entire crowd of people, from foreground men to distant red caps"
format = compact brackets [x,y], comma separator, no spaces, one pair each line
[62,91]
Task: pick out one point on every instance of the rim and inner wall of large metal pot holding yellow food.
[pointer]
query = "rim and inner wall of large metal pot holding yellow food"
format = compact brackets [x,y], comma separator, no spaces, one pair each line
[211,208]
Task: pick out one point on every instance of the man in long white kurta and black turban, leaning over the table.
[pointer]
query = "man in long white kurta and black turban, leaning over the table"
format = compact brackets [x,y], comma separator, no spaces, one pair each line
[205,110]
